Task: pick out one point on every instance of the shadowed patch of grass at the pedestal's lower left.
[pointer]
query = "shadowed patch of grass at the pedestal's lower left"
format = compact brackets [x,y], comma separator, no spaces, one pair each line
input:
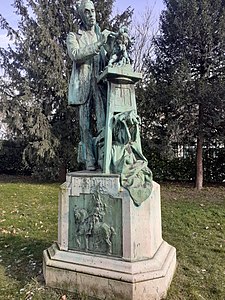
[22,260]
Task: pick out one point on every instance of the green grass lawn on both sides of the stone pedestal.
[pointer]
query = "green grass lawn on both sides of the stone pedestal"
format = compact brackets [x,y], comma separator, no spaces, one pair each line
[193,222]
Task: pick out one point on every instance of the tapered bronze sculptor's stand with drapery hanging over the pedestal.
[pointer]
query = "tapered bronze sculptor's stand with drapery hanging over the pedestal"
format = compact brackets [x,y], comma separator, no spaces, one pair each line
[123,152]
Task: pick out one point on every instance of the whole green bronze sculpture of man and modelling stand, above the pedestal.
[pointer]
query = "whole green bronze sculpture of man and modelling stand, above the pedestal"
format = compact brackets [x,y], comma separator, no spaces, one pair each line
[102,86]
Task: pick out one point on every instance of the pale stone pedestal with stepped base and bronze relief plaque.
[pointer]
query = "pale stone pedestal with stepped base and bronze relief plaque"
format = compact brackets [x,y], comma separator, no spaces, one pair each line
[108,247]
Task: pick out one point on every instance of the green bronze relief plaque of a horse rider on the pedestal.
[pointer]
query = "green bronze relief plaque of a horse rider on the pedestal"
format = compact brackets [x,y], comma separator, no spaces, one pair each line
[95,224]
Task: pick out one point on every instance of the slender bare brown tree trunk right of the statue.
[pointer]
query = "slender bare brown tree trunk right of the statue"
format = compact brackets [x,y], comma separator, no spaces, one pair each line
[199,164]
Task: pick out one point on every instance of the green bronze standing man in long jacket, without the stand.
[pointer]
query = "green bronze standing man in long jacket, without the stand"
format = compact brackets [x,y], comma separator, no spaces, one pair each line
[88,56]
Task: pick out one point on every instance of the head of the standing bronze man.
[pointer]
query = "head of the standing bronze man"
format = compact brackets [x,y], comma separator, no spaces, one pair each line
[86,11]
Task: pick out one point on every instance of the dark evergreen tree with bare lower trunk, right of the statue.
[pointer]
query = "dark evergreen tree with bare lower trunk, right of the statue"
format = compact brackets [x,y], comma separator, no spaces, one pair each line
[190,70]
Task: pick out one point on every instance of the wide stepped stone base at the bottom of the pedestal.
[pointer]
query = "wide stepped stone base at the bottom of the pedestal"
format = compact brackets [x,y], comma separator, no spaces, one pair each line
[110,278]
